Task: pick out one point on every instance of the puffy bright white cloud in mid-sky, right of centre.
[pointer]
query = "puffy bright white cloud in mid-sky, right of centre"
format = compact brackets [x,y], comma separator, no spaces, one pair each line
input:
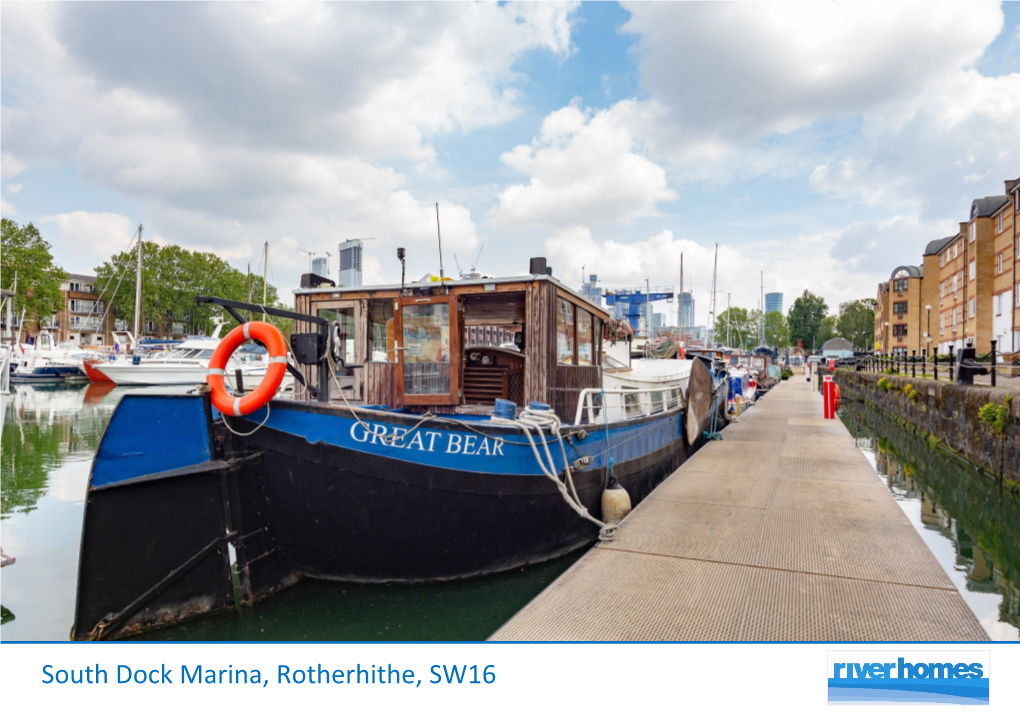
[585,167]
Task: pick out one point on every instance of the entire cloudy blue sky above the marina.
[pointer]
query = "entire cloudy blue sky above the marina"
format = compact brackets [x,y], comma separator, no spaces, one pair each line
[821,145]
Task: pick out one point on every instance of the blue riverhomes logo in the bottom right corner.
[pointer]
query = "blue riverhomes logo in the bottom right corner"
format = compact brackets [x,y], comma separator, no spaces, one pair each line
[909,678]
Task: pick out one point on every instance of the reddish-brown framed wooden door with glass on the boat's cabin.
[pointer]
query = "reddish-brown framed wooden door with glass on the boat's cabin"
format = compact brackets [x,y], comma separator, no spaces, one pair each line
[429,356]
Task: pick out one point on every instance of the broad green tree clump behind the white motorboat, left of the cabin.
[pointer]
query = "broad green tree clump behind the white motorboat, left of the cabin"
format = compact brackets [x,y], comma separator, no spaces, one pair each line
[172,277]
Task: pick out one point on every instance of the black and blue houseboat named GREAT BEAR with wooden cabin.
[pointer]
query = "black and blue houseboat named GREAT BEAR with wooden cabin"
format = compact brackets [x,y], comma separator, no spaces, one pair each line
[411,452]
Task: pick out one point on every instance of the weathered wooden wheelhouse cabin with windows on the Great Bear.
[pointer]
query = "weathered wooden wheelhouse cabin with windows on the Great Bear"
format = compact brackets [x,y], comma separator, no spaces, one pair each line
[413,344]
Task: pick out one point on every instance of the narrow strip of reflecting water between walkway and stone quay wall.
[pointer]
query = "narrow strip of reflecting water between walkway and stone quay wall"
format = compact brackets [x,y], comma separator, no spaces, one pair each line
[970,522]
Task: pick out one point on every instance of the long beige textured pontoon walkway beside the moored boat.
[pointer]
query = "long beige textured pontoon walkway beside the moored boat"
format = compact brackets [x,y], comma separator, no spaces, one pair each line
[781,532]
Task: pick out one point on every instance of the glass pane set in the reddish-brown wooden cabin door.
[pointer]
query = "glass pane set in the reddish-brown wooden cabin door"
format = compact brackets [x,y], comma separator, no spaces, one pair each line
[426,333]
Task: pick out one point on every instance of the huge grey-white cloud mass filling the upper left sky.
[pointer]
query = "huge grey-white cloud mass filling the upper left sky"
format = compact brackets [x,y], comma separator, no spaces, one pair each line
[237,124]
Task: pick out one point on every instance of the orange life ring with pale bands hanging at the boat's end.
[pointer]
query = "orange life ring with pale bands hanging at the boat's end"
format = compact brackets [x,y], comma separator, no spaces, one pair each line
[271,337]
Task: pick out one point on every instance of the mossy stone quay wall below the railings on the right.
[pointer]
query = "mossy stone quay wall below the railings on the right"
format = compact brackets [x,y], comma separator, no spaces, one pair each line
[948,416]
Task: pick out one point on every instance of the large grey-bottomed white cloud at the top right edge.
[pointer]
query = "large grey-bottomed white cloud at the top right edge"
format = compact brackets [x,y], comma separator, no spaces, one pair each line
[734,73]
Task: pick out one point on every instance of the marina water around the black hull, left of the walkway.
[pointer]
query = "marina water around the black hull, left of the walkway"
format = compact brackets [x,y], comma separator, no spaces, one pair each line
[50,435]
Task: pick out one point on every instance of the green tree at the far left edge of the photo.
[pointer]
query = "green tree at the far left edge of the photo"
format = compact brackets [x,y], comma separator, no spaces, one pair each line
[27,254]
